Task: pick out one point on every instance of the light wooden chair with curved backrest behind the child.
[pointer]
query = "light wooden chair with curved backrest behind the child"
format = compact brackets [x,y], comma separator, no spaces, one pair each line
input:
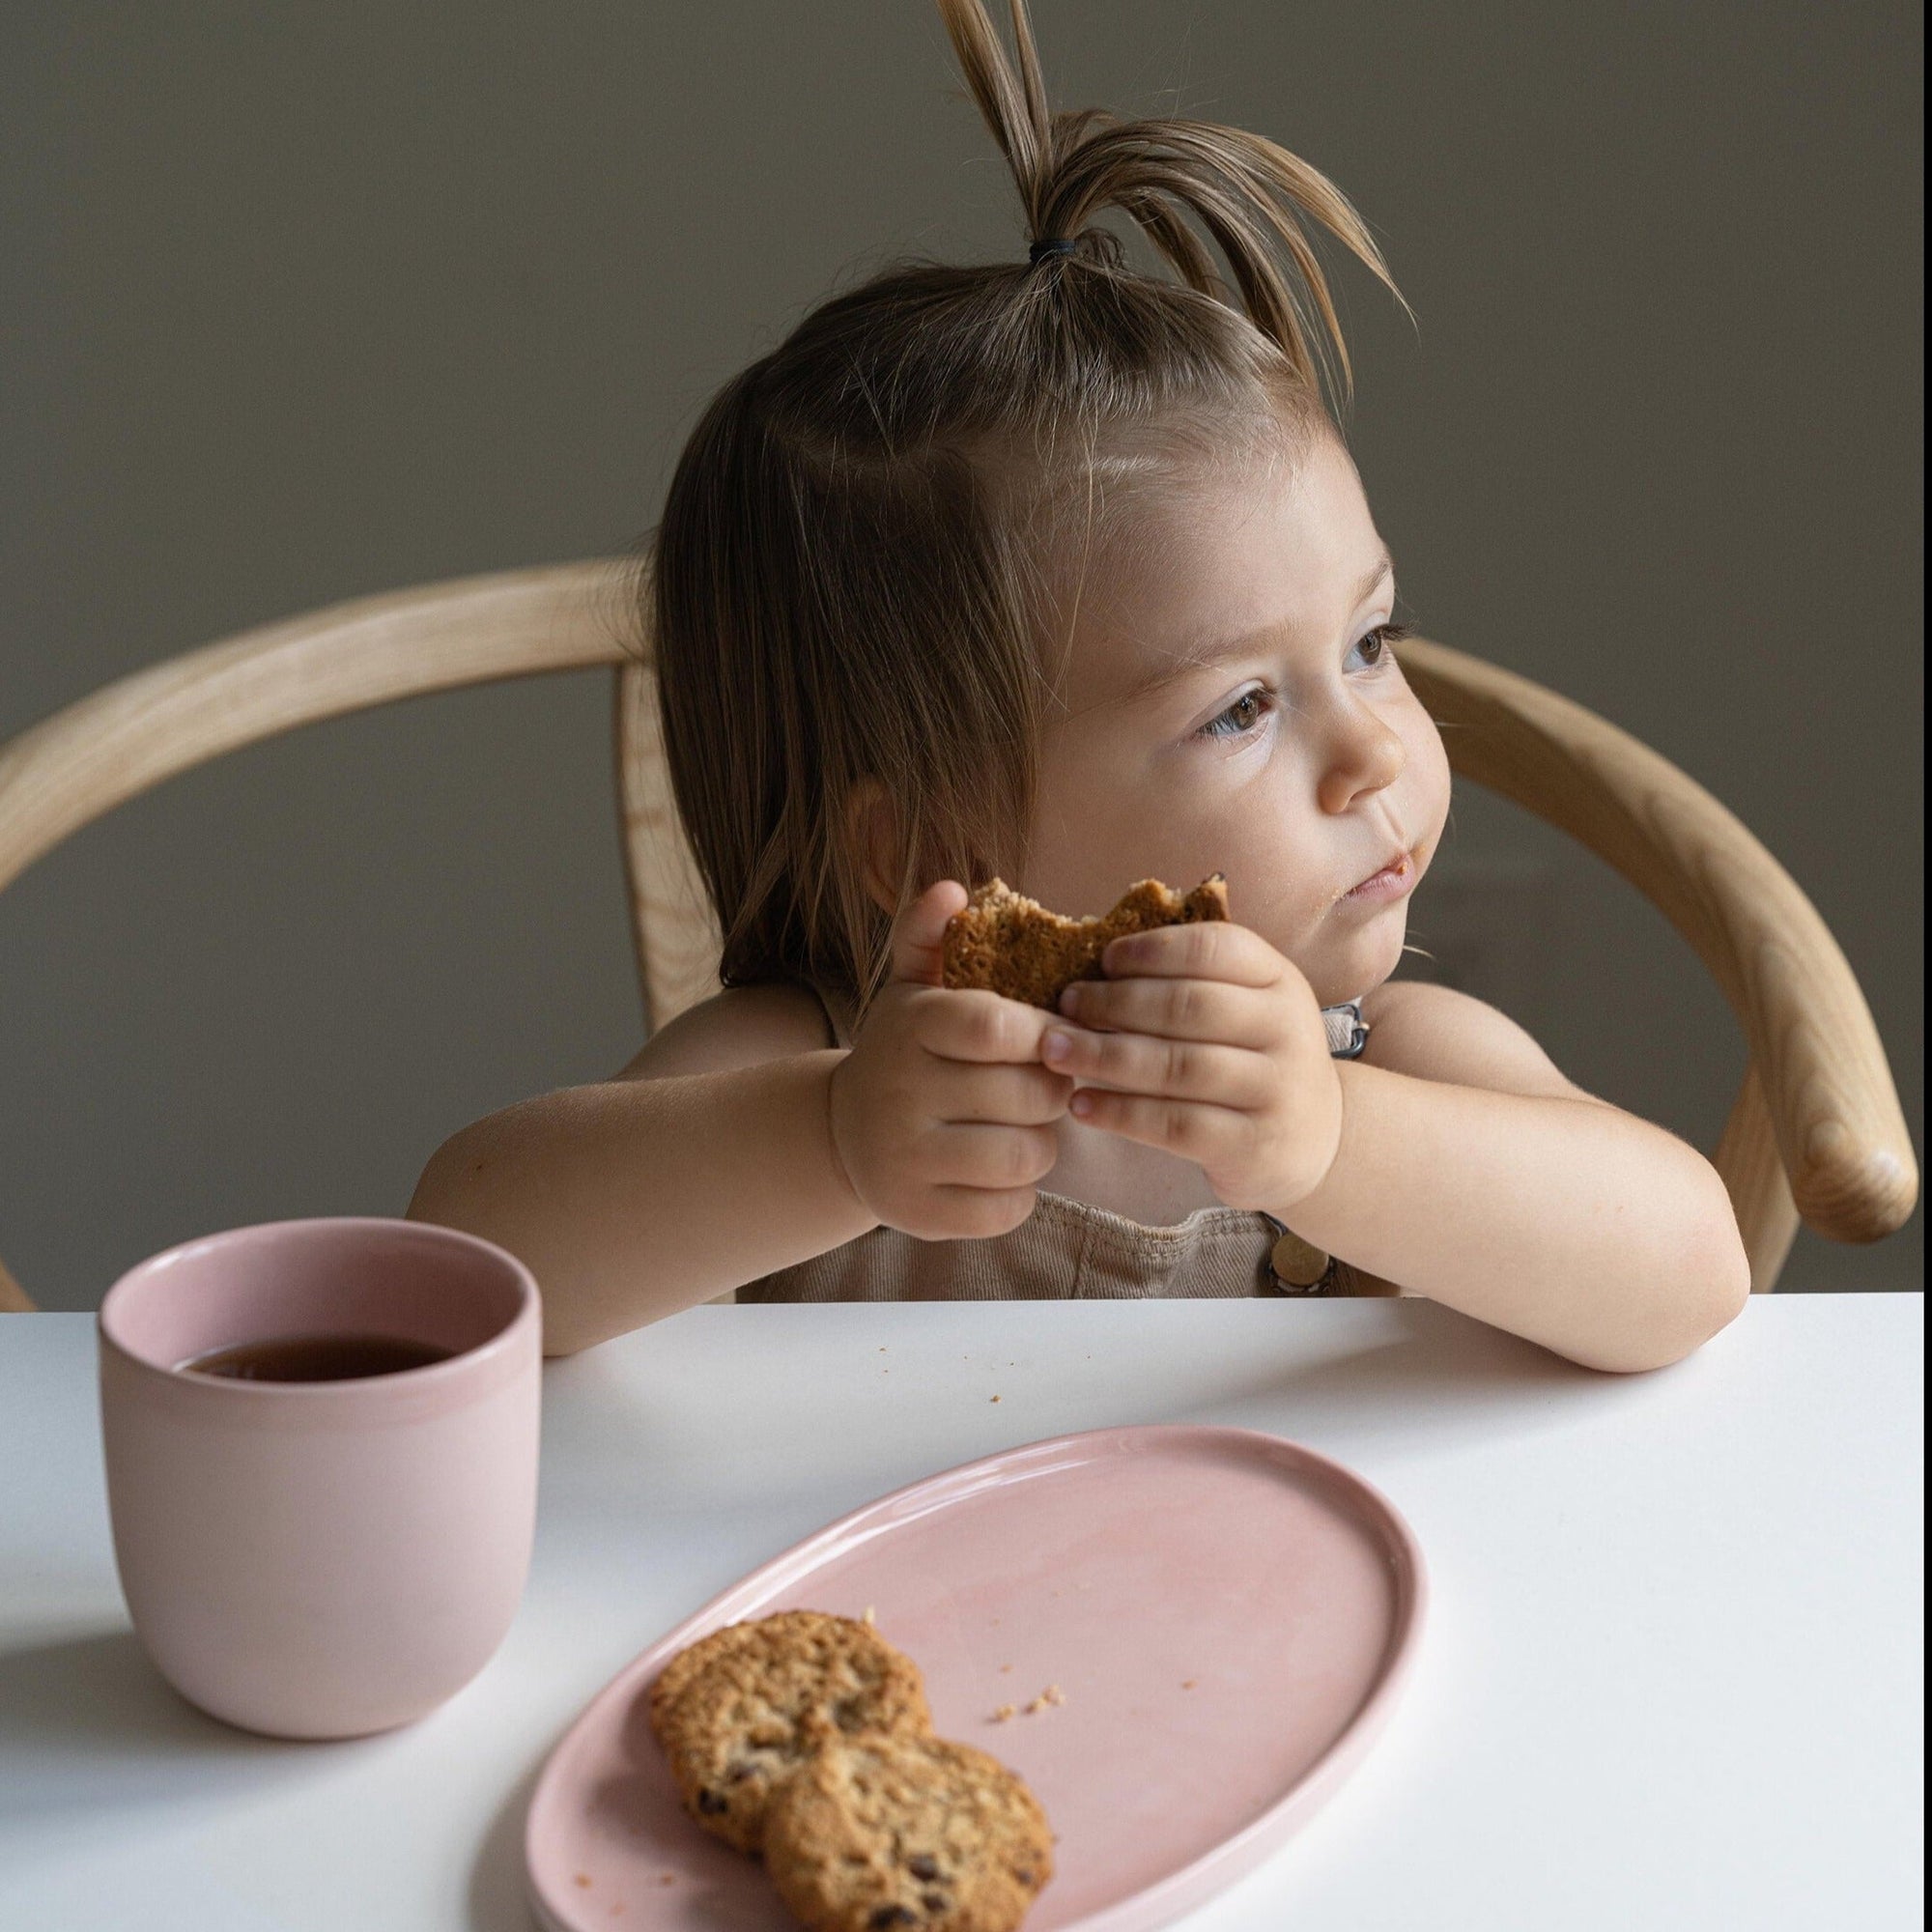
[1815,1135]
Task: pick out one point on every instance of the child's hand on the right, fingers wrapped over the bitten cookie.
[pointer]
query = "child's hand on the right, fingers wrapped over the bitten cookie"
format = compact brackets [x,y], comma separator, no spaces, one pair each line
[1205,1040]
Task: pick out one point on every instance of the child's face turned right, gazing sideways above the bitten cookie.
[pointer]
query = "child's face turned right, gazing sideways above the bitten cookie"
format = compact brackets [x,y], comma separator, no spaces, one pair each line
[1226,710]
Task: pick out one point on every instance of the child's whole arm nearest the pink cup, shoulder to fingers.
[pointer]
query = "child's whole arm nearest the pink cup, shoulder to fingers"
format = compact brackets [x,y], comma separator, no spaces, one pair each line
[737,1145]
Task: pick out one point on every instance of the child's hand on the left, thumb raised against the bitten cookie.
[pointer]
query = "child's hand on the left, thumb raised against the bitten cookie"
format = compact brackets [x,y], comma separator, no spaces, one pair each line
[942,1112]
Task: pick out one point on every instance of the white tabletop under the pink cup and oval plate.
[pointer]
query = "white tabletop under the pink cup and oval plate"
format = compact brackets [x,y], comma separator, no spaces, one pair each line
[1670,1674]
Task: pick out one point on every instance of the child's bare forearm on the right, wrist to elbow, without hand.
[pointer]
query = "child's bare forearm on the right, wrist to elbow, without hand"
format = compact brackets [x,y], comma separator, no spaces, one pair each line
[1570,1222]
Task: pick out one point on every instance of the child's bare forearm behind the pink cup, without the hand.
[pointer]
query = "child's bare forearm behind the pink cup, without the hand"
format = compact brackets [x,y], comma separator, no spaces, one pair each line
[635,1199]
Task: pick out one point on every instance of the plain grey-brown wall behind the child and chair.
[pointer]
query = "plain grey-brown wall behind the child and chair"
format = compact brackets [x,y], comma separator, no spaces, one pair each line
[320,300]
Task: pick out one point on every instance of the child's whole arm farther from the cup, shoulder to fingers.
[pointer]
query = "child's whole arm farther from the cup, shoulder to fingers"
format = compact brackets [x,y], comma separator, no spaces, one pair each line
[1489,1183]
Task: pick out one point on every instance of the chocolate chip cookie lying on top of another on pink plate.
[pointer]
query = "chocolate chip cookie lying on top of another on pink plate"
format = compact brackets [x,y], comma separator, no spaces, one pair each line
[907,1833]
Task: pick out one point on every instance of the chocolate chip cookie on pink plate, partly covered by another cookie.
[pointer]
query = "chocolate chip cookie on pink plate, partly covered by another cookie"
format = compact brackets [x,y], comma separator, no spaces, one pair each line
[741,1711]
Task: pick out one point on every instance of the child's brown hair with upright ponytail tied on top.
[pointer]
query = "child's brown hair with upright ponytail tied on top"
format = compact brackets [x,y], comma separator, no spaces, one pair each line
[863,554]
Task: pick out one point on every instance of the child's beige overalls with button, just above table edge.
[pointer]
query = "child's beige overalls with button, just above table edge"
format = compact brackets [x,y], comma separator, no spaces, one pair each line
[1067,1251]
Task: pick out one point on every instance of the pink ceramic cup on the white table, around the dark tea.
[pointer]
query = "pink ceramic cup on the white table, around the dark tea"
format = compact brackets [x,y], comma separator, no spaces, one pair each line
[324,1558]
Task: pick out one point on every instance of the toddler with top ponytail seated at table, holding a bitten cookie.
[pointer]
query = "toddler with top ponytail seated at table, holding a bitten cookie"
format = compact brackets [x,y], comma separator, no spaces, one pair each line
[1062,573]
